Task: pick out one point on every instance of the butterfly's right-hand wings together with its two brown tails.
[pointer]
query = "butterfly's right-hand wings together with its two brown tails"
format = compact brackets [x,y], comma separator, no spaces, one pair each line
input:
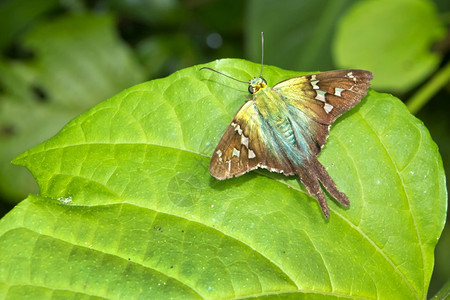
[314,102]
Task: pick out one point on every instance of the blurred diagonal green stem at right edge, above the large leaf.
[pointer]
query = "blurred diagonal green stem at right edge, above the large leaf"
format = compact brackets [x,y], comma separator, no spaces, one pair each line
[421,97]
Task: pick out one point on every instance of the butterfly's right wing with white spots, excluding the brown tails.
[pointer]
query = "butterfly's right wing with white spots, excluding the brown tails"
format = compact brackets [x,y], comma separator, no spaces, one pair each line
[317,100]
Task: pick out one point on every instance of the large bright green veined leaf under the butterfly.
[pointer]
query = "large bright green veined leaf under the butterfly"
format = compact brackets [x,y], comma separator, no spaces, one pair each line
[128,209]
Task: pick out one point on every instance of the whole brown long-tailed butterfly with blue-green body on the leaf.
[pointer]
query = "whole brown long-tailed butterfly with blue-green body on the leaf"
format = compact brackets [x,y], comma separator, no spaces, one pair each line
[283,128]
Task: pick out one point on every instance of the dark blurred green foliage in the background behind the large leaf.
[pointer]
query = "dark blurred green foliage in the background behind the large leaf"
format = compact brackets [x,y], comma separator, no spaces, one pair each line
[59,58]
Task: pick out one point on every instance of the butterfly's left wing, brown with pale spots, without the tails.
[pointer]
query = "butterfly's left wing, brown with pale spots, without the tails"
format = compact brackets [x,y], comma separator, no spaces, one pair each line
[247,145]
